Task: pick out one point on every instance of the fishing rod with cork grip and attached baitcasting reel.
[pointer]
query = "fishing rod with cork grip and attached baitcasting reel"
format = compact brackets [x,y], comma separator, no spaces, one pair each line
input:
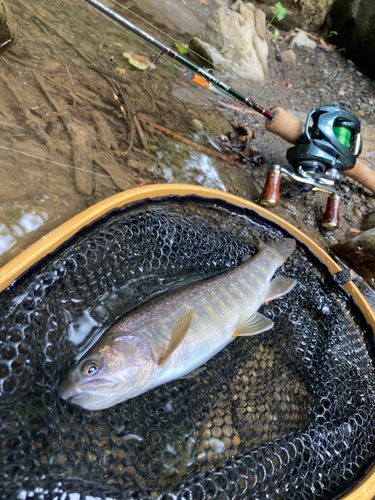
[327,145]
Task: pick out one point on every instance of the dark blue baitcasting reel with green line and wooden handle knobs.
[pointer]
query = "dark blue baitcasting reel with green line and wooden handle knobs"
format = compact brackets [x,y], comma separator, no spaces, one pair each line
[329,145]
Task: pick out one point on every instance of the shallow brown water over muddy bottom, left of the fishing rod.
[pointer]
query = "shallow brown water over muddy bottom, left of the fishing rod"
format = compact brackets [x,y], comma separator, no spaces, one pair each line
[57,102]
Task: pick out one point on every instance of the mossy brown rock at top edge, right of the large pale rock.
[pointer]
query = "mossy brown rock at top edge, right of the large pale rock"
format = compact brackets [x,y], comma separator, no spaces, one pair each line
[306,14]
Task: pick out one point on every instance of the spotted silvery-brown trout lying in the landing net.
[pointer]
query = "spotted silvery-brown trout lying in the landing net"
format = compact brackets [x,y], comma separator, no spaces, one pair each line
[172,336]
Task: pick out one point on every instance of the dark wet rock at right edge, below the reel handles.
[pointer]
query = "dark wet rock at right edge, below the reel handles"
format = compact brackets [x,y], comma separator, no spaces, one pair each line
[358,253]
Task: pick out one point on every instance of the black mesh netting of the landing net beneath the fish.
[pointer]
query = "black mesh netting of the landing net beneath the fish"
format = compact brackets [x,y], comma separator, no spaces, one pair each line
[285,414]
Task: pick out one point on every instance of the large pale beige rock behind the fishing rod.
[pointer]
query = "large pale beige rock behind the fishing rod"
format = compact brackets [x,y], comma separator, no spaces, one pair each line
[235,38]
